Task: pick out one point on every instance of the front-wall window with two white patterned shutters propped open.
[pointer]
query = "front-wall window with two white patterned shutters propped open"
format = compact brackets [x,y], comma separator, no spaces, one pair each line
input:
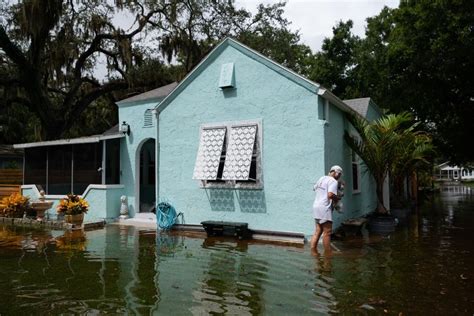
[229,156]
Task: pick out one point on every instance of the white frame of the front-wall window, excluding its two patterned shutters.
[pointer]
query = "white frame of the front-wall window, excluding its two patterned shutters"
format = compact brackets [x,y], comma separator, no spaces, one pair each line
[239,184]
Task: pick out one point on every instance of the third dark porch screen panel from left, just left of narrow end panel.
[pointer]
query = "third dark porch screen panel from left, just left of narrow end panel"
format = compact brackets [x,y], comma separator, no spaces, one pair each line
[87,164]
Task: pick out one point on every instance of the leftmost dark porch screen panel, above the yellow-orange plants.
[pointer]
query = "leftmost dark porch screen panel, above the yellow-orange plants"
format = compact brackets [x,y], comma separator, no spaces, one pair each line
[35,167]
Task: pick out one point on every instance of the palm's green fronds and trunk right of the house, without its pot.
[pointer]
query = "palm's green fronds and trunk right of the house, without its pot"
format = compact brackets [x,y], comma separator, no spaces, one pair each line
[389,145]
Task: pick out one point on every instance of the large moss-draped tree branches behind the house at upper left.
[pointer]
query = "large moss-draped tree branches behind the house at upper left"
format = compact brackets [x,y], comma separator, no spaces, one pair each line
[49,52]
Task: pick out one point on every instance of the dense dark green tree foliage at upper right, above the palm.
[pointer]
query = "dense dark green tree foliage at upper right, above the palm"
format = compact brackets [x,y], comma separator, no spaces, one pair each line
[413,58]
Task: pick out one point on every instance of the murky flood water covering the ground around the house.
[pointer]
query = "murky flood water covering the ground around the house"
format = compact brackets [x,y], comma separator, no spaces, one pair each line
[425,267]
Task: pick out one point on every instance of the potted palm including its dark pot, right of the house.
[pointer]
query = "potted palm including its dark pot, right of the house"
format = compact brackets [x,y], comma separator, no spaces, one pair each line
[380,144]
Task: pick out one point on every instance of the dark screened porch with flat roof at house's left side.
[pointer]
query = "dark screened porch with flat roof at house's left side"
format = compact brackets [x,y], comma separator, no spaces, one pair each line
[69,166]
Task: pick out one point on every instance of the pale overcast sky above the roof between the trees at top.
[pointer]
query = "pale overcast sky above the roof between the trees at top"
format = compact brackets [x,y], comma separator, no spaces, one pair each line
[316,18]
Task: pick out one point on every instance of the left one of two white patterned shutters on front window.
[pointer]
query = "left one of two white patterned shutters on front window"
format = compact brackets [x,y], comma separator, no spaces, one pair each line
[209,153]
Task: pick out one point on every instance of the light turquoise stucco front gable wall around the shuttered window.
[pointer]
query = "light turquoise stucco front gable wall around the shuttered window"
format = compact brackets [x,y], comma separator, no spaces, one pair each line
[293,144]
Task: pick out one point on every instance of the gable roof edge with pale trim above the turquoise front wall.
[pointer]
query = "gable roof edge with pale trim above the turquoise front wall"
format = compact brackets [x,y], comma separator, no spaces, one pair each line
[288,73]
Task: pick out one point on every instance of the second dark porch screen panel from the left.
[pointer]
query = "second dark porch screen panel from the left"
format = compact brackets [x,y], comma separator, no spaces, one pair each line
[59,169]
